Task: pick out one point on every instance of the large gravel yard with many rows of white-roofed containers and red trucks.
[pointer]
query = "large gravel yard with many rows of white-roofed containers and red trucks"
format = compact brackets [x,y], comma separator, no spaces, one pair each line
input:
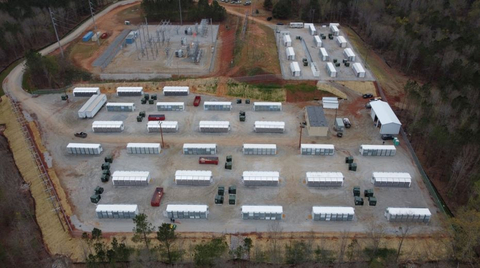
[268,167]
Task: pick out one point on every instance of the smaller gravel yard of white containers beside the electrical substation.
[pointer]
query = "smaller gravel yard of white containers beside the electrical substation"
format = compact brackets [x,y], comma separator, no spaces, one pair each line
[308,52]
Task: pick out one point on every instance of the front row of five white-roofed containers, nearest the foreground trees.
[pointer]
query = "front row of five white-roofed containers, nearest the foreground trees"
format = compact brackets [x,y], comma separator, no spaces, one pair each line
[319,213]
